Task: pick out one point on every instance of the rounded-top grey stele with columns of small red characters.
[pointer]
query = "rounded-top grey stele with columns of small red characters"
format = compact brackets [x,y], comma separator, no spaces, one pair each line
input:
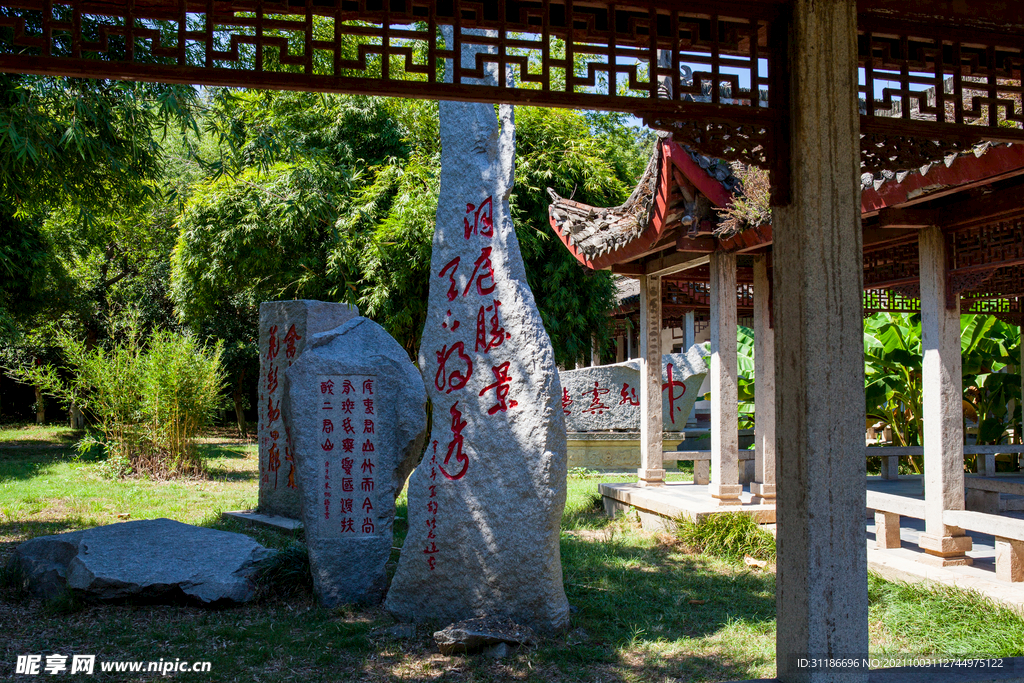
[357,409]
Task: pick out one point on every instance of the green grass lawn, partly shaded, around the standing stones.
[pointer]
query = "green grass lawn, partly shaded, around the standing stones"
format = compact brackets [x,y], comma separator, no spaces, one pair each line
[646,610]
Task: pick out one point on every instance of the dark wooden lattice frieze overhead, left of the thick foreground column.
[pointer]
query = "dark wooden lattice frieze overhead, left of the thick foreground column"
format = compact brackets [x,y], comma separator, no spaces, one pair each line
[593,56]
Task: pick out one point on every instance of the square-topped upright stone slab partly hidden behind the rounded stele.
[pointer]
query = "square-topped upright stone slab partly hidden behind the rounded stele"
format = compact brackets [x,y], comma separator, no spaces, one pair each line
[285,328]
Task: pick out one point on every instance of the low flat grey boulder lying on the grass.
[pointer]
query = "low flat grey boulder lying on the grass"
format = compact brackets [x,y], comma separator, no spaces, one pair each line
[151,560]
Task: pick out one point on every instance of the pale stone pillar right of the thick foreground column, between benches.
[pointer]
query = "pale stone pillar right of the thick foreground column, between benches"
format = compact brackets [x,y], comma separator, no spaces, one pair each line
[943,391]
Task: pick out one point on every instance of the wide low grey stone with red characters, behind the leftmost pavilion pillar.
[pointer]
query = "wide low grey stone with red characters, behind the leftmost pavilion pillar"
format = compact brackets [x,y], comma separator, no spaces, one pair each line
[607,398]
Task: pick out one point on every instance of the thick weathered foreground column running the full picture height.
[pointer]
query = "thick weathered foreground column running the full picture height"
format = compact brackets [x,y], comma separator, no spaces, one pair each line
[822,588]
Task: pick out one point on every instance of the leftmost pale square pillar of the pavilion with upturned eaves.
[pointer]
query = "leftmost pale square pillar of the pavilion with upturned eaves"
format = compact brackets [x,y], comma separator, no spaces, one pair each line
[652,473]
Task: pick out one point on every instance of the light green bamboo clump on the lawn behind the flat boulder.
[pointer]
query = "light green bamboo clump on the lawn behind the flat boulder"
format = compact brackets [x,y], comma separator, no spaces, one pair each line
[150,402]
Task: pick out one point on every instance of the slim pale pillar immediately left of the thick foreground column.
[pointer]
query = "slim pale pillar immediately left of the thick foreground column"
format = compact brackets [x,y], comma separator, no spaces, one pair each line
[763,487]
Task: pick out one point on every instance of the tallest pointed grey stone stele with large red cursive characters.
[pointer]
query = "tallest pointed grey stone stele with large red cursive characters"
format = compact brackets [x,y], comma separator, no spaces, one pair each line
[486,503]
